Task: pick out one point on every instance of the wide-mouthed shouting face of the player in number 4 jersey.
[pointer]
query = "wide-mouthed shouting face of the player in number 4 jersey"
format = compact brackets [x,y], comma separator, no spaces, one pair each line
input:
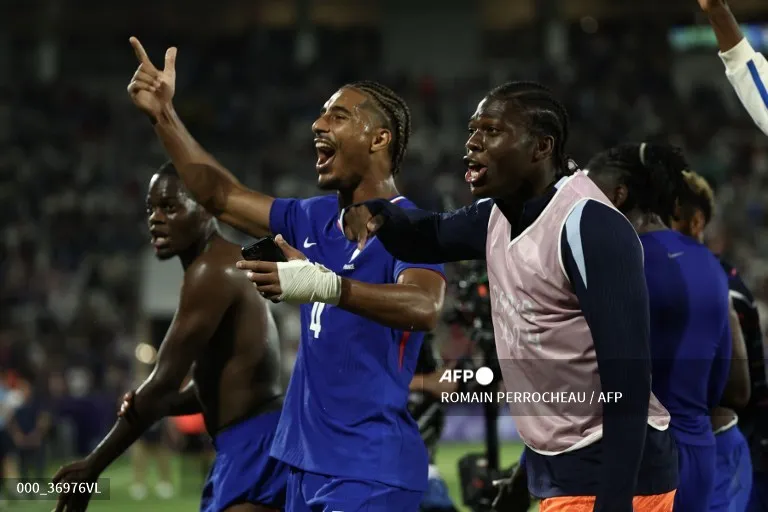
[345,135]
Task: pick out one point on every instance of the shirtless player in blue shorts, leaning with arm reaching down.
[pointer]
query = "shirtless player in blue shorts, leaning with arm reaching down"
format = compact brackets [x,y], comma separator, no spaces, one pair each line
[224,330]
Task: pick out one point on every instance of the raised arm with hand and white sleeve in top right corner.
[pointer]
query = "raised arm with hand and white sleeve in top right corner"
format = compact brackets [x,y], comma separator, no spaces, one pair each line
[746,69]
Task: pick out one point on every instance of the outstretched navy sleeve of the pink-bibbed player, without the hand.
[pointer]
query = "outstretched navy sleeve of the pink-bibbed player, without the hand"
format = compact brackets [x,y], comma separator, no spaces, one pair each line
[419,236]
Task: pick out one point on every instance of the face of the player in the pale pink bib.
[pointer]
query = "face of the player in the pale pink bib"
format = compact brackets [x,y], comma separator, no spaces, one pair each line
[499,151]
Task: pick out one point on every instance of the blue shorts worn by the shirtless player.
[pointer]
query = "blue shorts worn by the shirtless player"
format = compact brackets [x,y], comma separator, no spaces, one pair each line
[243,471]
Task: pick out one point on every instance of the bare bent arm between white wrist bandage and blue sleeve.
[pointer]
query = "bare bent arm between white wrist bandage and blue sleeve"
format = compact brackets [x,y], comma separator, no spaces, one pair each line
[413,304]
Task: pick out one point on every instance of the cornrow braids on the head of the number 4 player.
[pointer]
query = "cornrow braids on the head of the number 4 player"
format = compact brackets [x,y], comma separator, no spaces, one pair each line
[396,114]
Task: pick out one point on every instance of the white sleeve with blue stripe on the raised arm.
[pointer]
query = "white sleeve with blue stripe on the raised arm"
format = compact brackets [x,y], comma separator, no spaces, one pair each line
[747,71]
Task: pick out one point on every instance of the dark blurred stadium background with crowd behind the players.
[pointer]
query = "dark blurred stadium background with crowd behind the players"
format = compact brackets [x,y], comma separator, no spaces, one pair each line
[83,304]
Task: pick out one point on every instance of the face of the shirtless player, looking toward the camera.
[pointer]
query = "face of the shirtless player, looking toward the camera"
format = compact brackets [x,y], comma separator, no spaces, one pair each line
[176,222]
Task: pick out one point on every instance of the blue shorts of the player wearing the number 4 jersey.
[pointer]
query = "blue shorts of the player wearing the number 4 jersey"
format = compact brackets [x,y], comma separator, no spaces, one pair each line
[310,492]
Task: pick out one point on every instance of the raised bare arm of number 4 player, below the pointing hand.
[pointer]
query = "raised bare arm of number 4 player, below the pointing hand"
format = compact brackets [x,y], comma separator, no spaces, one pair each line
[210,183]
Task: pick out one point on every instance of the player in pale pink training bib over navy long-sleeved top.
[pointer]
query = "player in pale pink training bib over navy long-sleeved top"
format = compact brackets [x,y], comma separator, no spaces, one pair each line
[570,304]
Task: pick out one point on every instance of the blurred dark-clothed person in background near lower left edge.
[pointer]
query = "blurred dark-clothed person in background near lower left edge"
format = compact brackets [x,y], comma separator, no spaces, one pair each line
[28,428]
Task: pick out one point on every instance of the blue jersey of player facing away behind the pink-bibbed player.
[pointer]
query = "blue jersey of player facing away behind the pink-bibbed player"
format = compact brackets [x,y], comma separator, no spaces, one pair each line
[690,333]
